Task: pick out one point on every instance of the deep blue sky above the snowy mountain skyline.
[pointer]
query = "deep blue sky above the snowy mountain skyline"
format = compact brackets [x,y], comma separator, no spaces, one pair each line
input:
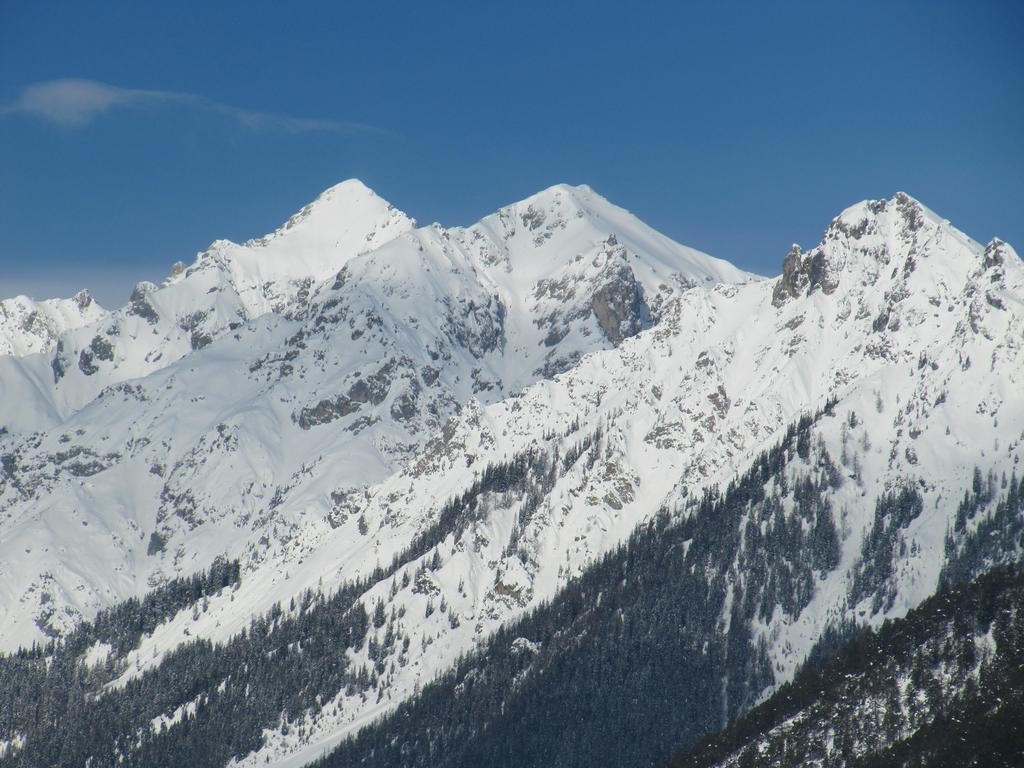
[737,129]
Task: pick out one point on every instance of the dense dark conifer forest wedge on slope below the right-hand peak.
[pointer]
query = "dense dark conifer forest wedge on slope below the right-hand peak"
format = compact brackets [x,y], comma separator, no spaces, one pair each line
[663,641]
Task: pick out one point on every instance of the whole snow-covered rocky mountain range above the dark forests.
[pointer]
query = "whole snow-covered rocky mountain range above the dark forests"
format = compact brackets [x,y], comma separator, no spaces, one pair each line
[471,418]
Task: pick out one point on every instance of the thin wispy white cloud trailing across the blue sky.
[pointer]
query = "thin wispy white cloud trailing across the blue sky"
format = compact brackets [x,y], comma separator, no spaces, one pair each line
[75,104]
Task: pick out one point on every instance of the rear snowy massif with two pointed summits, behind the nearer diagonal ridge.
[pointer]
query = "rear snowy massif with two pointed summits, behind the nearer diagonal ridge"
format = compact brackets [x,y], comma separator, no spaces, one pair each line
[264,435]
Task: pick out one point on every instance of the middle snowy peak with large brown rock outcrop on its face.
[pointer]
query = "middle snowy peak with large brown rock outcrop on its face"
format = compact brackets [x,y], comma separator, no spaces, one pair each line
[572,268]
